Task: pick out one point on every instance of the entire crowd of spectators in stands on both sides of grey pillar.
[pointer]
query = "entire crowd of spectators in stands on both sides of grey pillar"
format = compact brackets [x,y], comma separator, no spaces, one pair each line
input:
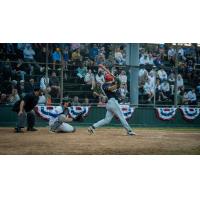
[22,66]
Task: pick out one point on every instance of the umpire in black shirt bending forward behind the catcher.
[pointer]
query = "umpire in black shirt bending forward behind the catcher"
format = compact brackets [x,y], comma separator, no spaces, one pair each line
[24,109]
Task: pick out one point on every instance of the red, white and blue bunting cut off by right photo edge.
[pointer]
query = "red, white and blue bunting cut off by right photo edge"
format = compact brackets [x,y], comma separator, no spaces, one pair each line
[190,113]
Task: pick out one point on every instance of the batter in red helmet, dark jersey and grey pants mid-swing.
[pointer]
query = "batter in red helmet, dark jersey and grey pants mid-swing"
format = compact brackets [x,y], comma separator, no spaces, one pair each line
[110,88]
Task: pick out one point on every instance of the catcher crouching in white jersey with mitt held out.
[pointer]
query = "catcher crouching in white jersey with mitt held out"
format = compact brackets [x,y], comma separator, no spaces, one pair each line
[59,120]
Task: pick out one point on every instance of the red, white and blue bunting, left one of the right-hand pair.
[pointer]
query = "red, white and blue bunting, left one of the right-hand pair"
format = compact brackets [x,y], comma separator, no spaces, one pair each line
[166,113]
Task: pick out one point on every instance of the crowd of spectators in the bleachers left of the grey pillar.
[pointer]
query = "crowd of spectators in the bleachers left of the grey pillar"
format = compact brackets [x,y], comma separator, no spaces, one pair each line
[22,66]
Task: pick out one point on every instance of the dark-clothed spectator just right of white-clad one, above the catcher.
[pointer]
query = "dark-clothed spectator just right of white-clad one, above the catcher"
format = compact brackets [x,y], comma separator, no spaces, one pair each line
[54,84]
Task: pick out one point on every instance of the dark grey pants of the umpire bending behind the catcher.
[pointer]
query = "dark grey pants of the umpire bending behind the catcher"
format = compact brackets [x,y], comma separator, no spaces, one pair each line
[28,117]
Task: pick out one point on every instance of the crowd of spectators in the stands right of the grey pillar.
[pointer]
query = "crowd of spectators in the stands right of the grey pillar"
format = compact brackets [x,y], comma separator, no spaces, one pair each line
[158,69]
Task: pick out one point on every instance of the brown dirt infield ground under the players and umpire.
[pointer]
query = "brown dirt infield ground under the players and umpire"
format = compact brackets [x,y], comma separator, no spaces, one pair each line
[105,141]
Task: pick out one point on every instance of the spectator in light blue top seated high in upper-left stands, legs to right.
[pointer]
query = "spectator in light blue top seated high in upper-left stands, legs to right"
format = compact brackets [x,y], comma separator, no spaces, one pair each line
[29,54]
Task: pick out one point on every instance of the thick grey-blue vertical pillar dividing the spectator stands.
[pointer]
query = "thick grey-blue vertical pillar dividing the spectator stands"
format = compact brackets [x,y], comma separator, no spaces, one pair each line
[132,59]
